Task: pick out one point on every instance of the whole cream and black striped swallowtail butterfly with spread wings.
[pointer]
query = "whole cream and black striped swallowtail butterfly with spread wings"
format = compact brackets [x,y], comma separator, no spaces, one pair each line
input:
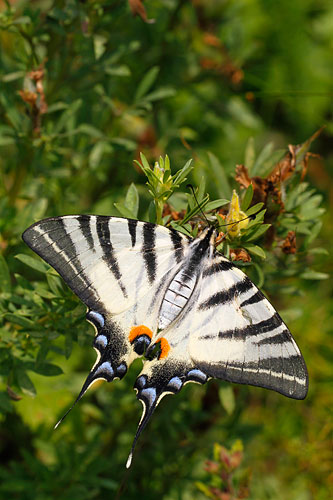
[152,291]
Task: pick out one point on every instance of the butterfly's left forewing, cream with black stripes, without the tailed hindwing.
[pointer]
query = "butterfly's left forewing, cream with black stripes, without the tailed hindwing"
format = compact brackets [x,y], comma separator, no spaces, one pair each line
[108,262]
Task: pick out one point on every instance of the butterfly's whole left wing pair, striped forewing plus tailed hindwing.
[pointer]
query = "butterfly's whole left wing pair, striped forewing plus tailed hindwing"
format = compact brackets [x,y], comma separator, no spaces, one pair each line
[117,267]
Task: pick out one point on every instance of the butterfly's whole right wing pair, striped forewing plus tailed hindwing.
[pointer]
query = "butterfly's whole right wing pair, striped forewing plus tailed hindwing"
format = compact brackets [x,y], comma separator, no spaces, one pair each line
[227,330]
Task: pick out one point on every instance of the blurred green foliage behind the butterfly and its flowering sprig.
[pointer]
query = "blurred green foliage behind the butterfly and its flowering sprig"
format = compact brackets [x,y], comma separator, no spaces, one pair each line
[85,86]
